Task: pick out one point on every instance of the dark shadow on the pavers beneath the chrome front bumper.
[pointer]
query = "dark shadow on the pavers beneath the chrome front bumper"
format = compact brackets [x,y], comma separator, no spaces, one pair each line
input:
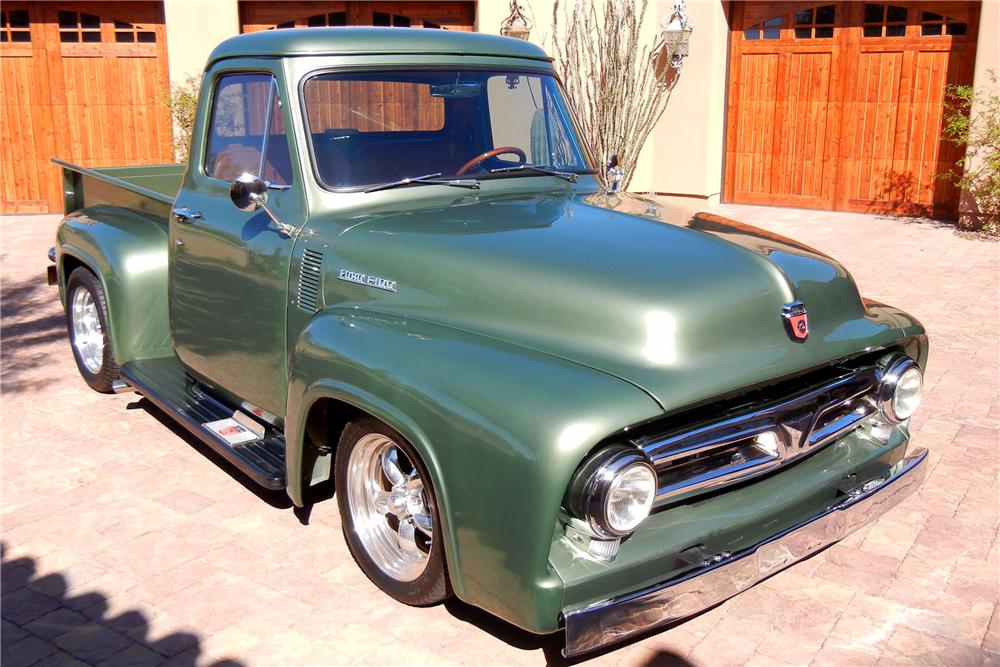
[552,645]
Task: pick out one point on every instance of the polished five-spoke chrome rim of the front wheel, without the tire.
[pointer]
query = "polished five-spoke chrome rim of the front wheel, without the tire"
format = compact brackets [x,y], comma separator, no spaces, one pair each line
[389,509]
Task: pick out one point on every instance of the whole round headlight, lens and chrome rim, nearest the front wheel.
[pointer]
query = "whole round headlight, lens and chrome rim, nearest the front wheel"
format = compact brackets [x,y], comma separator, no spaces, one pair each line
[618,492]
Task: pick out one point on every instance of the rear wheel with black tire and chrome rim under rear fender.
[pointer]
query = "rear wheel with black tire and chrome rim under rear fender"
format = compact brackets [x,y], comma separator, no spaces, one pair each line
[87,324]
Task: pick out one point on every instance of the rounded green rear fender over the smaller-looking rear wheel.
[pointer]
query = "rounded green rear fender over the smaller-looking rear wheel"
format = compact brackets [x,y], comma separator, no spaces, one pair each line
[127,251]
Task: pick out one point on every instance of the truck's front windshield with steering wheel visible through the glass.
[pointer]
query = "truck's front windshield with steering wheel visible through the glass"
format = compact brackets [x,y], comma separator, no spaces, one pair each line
[378,127]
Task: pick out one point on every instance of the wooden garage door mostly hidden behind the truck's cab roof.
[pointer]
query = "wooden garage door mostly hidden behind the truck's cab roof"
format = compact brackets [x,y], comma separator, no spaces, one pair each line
[265,15]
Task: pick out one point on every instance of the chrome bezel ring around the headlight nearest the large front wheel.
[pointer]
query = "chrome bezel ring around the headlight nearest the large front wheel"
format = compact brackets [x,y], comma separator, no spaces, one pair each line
[591,490]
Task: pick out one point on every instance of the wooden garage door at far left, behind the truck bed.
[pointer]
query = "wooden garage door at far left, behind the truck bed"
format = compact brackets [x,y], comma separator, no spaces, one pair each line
[86,82]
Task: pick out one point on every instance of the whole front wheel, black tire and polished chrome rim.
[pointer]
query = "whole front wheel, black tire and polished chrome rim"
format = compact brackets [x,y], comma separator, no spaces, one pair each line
[389,513]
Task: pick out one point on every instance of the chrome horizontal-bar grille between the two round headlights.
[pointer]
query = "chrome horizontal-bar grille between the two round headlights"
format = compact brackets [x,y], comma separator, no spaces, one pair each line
[740,446]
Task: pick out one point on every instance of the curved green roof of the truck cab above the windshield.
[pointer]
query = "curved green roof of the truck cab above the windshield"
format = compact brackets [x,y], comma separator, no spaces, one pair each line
[373,41]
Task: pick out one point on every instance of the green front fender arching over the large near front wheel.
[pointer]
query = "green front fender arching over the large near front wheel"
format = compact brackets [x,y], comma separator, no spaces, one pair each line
[500,428]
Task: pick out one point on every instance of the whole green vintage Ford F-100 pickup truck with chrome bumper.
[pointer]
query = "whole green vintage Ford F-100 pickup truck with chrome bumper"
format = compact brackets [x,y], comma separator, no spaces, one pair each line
[391,263]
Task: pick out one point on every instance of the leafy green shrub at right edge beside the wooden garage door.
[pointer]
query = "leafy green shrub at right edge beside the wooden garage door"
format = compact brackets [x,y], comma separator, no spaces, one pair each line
[972,121]
